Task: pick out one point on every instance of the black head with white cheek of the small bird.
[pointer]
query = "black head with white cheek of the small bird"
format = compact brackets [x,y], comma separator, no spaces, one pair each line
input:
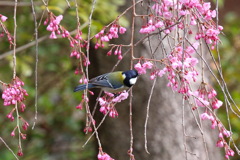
[130,77]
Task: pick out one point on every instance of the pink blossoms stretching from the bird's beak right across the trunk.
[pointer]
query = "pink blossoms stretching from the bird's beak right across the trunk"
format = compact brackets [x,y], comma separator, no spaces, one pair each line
[180,63]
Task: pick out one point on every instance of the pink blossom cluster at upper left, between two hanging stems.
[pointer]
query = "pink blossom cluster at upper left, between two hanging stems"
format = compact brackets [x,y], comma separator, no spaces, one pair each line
[54,27]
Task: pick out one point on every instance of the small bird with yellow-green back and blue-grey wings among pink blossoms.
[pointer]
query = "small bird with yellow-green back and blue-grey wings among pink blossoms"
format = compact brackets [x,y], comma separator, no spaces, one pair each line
[111,82]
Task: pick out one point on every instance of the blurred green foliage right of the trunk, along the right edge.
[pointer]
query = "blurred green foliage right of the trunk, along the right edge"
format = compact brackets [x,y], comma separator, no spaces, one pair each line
[230,60]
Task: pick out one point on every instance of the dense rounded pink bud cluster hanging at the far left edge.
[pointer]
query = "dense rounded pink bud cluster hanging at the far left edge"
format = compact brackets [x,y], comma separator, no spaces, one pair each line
[14,93]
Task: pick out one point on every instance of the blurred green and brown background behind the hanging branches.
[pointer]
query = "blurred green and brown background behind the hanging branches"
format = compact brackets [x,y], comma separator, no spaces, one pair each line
[58,133]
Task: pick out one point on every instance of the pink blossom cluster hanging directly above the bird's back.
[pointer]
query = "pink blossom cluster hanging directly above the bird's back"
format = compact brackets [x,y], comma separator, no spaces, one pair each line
[106,36]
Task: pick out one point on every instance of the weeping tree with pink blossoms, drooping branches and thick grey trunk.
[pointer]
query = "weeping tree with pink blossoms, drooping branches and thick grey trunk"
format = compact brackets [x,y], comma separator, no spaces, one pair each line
[171,113]
